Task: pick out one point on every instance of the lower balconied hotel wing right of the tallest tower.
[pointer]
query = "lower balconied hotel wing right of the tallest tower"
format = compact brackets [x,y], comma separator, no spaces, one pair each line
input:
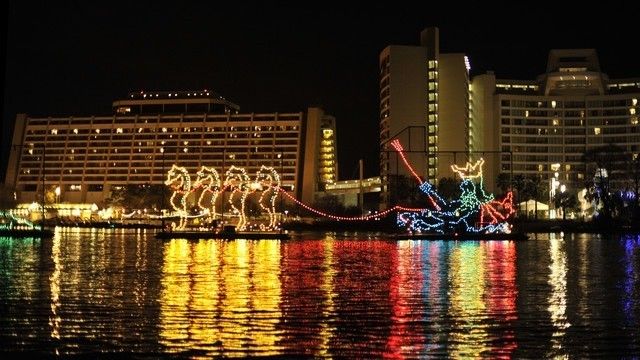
[549,123]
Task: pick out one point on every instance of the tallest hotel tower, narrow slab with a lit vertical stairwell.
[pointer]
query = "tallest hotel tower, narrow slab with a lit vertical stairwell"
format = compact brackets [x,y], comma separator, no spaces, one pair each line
[424,102]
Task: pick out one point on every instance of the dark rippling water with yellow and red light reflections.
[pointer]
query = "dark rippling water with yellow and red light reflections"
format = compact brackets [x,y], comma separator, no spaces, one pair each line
[121,292]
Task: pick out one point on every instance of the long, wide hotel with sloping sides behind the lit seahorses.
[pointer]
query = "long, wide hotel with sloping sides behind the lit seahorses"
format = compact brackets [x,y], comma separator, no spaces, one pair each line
[86,157]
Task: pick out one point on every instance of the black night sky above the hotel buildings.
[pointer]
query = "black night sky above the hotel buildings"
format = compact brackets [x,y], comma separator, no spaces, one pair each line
[76,57]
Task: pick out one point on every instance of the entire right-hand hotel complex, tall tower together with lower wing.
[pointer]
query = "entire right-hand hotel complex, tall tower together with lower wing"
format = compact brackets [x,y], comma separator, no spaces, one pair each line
[540,127]
